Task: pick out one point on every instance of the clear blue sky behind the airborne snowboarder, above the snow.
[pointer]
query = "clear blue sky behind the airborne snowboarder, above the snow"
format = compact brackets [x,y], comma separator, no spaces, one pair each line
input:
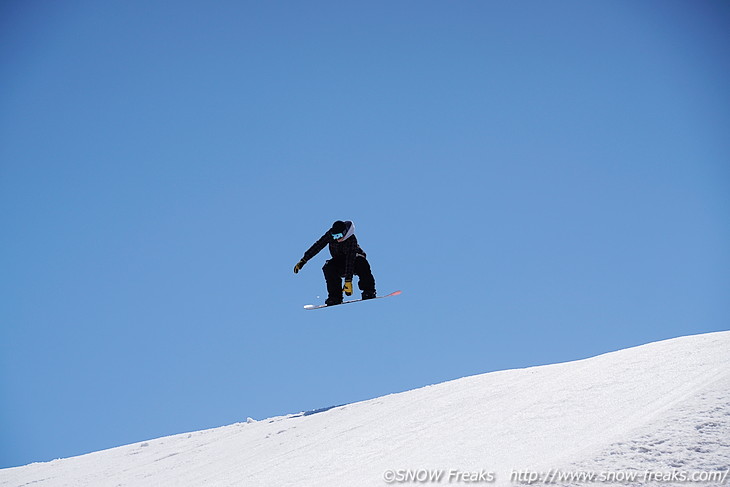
[546,181]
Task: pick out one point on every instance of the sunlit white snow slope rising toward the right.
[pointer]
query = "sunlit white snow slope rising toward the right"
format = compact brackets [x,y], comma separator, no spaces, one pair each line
[657,410]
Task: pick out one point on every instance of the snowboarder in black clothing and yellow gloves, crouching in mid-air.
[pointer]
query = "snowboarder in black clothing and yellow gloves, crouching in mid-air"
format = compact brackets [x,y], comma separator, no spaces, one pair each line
[348,259]
